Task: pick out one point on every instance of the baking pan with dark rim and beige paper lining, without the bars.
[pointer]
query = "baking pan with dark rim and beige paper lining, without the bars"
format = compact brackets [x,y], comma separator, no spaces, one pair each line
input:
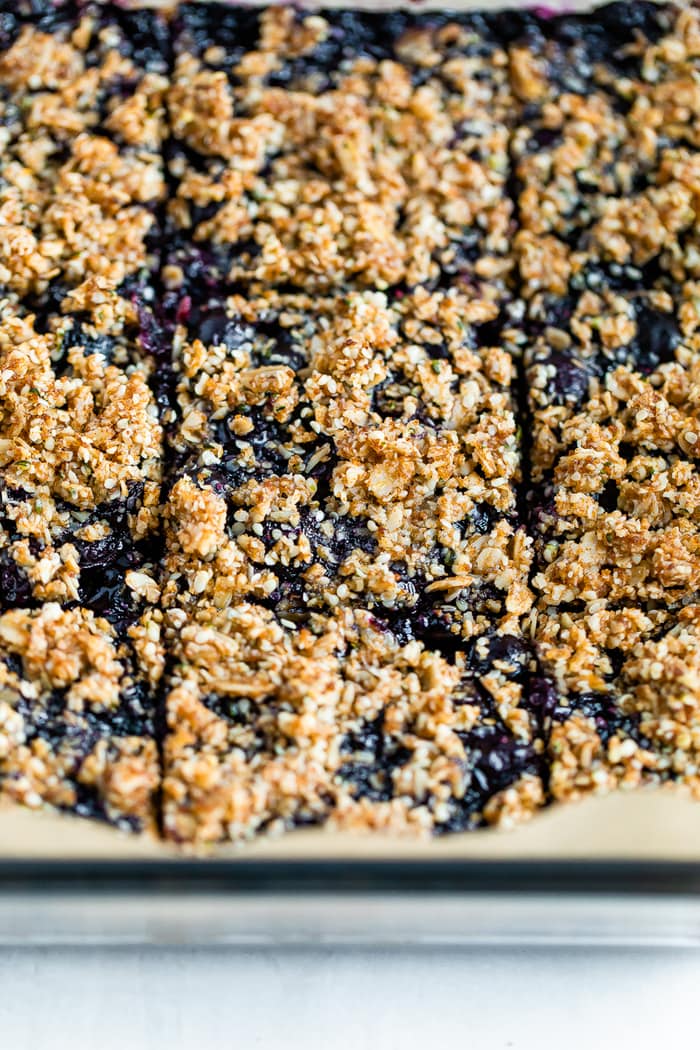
[625,870]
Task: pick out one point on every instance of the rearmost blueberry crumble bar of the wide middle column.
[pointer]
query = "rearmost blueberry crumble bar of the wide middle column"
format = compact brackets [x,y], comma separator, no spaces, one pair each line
[347,149]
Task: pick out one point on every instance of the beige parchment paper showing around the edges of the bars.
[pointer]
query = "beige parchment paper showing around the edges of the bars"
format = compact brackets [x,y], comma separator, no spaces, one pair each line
[648,825]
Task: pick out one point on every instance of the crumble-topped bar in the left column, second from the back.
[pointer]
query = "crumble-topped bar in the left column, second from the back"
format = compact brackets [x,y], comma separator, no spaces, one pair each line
[81,463]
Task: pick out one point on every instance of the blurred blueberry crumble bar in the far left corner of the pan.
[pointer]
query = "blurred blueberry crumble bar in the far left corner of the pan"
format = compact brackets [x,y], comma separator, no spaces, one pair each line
[82,128]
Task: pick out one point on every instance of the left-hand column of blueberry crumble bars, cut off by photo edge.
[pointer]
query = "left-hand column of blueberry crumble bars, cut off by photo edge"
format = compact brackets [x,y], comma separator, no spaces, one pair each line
[82,125]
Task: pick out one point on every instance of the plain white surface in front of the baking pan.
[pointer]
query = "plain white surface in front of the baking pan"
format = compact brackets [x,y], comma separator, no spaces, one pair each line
[334,1000]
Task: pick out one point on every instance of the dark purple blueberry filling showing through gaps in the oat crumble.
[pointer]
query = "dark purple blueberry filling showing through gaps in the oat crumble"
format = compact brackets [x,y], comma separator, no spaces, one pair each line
[574,50]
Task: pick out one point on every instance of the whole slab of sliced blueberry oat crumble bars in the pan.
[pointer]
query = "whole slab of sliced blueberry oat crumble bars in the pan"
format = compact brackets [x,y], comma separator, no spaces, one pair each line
[349,413]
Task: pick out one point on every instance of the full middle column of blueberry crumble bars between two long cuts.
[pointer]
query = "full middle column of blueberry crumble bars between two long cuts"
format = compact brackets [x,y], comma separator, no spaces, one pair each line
[345,576]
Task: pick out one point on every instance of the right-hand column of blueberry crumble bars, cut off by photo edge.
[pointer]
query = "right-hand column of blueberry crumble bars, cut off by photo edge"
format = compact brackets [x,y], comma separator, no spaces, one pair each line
[605,159]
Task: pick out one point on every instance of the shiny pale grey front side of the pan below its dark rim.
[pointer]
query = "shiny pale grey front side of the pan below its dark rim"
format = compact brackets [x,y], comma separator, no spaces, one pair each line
[360,919]
